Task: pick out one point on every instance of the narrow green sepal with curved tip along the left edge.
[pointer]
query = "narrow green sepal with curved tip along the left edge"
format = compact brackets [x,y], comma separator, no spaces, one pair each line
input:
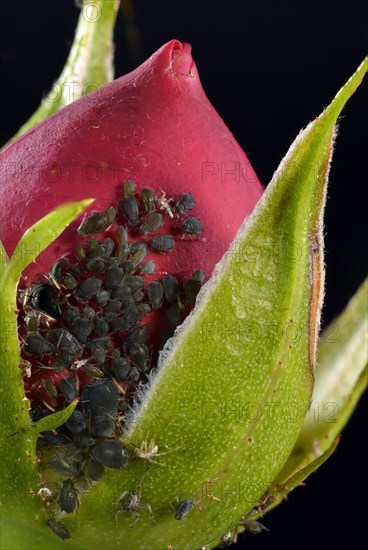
[19,474]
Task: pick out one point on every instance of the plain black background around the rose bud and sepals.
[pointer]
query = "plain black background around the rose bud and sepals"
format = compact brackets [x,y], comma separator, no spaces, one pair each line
[269,68]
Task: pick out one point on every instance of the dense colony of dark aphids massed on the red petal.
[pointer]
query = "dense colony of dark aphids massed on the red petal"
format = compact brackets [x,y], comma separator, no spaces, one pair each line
[84,337]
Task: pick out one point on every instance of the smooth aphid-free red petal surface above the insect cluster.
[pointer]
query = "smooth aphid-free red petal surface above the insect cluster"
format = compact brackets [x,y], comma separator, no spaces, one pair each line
[155,126]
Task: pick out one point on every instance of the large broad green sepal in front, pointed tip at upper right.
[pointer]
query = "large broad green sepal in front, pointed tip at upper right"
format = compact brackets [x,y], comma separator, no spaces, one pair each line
[233,386]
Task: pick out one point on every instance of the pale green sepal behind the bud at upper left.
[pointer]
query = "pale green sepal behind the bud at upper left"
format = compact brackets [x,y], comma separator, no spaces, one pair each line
[90,61]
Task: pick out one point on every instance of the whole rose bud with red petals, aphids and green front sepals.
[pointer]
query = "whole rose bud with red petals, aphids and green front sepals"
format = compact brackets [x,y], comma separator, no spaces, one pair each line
[191,453]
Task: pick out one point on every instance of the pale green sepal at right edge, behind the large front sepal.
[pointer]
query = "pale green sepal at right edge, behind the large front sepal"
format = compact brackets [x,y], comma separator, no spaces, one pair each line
[341,378]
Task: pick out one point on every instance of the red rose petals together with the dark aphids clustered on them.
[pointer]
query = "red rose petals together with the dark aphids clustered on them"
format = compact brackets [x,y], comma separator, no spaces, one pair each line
[99,303]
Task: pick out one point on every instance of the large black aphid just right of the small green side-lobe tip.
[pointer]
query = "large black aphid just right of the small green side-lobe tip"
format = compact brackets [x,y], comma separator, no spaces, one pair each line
[100,397]
